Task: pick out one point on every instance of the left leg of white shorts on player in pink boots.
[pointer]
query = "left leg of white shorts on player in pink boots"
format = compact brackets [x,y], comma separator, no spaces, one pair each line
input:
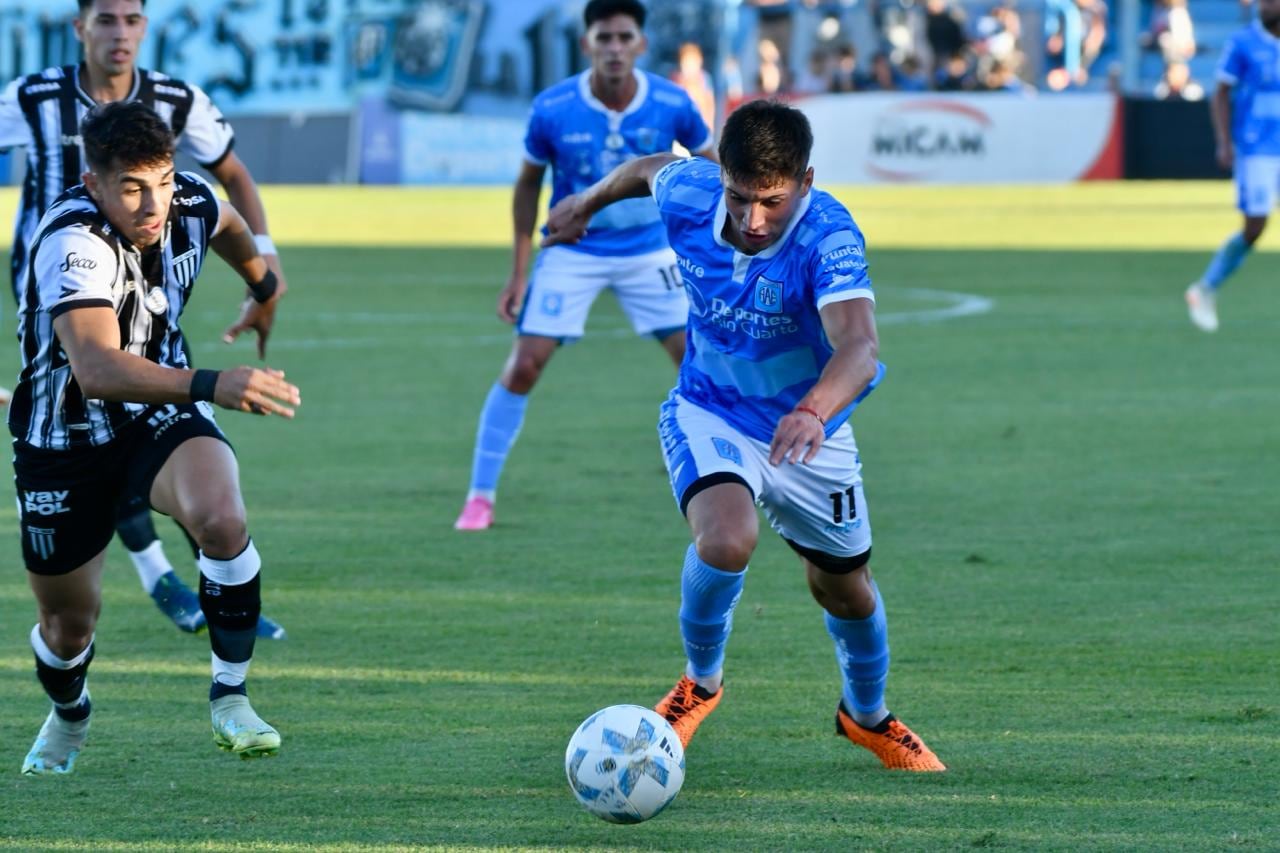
[561,291]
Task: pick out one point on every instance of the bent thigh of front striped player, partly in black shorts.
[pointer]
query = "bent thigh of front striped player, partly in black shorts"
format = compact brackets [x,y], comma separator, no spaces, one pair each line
[188,468]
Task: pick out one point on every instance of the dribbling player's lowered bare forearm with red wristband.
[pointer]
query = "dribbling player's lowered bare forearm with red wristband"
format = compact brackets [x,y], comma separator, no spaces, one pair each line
[851,327]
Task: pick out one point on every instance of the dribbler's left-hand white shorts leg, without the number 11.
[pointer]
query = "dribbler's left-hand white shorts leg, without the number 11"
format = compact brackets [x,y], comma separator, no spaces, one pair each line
[702,450]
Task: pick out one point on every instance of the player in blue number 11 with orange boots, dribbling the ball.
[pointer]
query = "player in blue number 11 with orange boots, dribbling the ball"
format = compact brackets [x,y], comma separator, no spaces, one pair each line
[783,345]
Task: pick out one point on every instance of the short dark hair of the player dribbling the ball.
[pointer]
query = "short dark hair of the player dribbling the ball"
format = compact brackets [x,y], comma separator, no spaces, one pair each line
[766,143]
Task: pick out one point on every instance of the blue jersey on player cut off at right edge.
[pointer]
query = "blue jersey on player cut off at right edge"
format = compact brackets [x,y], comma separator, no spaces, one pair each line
[1251,65]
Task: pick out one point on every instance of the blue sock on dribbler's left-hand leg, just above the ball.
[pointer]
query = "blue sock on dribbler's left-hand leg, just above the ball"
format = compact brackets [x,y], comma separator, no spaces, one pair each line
[707,600]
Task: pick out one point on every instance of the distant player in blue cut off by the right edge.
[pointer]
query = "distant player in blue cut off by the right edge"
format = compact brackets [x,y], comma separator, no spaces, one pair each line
[1246,112]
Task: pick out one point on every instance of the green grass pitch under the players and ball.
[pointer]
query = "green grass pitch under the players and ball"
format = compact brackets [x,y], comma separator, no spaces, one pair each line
[1075,501]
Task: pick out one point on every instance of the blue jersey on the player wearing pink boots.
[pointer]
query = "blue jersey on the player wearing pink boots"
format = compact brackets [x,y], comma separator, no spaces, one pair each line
[583,142]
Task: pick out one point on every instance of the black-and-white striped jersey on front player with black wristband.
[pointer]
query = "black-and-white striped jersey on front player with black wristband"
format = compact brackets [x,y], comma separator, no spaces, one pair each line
[79,261]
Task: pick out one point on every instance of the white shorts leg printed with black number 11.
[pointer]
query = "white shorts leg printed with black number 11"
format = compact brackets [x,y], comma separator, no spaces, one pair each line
[820,508]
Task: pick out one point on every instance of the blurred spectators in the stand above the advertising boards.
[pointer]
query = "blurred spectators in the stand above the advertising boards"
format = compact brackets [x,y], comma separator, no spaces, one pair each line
[816,47]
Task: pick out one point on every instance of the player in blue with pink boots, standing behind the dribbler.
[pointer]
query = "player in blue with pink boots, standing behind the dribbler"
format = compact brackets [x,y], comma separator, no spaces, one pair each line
[583,129]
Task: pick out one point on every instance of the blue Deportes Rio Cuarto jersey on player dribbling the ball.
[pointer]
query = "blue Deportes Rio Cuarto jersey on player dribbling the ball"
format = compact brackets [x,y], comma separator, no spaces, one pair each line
[756,343]
